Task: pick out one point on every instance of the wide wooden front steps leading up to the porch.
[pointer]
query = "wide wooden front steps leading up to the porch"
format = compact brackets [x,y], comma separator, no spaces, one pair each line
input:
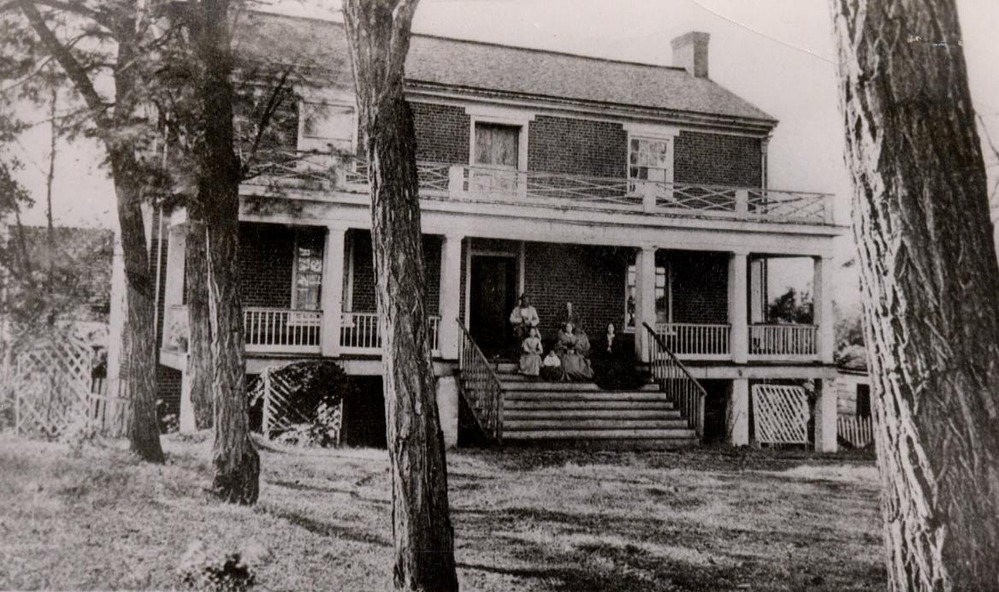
[537,412]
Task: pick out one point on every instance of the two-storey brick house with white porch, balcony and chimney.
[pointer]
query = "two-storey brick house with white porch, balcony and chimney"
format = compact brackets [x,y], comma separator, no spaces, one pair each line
[637,192]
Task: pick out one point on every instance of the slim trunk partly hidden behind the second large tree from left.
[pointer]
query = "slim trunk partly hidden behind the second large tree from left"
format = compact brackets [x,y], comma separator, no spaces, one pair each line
[199,348]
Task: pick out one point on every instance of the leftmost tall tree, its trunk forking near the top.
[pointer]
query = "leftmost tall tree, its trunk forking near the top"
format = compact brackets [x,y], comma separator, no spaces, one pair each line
[120,28]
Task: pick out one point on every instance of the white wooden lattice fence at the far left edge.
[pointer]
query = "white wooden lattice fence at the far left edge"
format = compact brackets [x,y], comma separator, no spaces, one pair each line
[49,386]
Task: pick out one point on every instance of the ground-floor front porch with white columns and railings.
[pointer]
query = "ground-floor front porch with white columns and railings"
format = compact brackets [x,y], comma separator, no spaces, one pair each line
[311,293]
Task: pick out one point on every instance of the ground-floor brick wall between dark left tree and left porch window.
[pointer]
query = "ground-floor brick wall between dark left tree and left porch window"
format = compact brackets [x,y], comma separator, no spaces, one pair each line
[267,254]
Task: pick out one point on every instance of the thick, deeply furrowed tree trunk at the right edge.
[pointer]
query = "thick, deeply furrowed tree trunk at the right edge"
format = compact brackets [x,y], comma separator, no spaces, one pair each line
[930,278]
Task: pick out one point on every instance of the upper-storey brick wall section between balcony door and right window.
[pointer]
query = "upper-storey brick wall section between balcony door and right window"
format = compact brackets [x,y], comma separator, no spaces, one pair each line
[577,146]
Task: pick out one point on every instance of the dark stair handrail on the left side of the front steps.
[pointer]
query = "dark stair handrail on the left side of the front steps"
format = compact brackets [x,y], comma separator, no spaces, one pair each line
[481,386]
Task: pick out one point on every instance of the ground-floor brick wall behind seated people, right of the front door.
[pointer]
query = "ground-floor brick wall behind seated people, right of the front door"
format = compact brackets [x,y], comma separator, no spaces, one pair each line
[592,278]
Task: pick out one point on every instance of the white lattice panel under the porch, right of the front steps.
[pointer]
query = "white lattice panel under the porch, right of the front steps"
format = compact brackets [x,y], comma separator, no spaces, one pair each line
[781,414]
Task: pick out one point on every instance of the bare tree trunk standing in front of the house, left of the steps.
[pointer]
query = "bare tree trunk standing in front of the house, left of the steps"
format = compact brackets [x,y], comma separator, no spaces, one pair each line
[378,36]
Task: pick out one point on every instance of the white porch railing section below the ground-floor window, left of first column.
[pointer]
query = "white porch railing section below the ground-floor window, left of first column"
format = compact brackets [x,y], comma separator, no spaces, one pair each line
[282,330]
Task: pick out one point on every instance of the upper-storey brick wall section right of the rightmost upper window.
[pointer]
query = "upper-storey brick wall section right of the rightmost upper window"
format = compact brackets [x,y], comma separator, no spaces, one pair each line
[717,159]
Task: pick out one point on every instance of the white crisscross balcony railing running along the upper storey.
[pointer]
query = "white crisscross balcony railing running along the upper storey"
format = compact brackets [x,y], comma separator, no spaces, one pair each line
[464,183]
